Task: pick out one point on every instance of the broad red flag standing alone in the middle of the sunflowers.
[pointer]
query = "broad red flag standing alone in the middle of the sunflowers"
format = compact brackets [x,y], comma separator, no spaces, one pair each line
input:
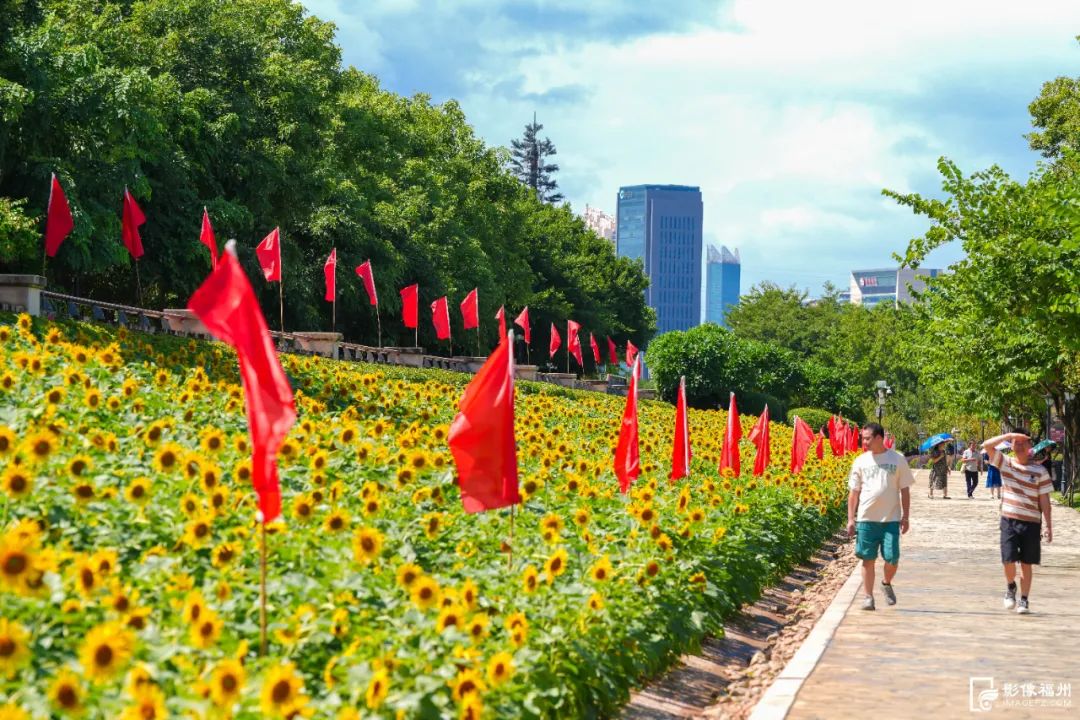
[482,436]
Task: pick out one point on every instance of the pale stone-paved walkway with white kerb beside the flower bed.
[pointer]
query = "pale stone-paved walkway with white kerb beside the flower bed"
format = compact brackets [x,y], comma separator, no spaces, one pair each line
[919,659]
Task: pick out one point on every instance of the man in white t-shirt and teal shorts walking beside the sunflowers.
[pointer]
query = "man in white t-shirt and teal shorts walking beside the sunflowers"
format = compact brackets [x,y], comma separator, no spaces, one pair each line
[879,507]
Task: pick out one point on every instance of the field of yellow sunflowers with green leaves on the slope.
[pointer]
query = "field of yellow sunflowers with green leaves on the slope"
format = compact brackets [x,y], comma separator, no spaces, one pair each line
[130,558]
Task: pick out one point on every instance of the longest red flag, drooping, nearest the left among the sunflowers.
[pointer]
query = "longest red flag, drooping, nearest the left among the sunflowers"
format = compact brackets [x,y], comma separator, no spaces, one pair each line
[227,306]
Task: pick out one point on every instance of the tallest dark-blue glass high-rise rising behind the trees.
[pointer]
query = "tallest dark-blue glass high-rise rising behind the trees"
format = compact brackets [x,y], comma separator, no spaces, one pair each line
[661,225]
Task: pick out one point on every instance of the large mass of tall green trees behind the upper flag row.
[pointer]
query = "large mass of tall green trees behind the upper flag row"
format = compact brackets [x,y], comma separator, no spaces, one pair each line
[244,107]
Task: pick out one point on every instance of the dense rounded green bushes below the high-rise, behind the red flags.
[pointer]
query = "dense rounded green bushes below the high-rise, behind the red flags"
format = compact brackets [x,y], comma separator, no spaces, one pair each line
[717,362]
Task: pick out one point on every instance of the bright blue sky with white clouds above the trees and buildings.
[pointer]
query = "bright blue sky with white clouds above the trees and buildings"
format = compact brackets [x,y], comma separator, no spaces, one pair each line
[791,116]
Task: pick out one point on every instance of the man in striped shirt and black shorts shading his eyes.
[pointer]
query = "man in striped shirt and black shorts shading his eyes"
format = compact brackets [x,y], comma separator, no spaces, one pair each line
[1025,495]
